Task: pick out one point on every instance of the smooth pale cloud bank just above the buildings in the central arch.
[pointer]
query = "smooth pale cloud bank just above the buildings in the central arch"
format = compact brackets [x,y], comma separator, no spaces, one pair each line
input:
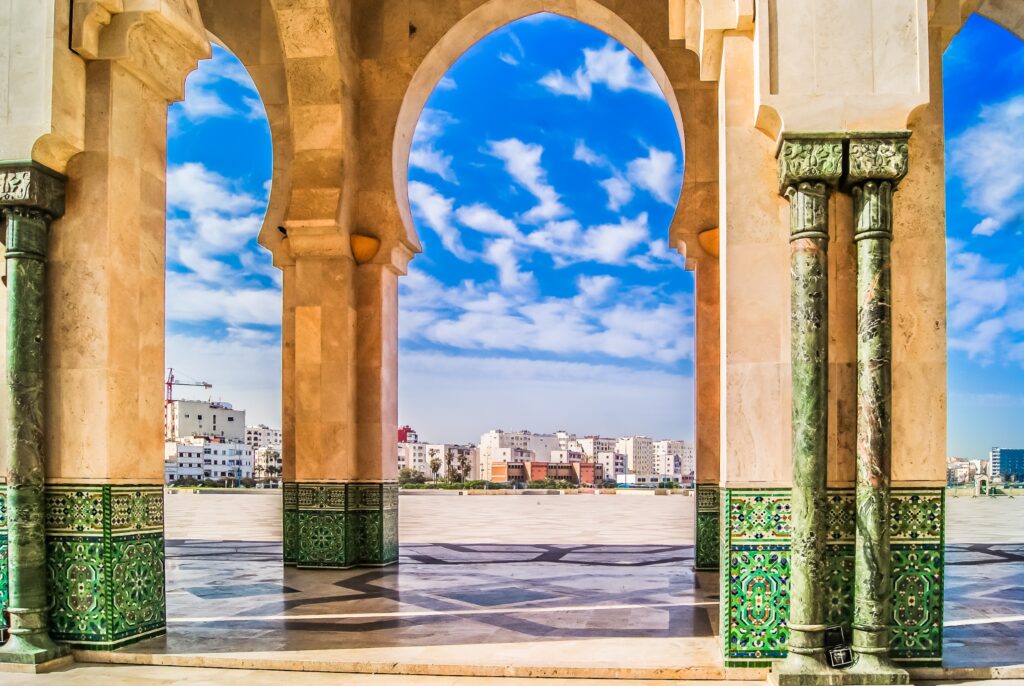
[590,398]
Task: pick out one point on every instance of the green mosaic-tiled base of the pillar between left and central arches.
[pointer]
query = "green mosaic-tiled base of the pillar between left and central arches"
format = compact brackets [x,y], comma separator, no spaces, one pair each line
[340,526]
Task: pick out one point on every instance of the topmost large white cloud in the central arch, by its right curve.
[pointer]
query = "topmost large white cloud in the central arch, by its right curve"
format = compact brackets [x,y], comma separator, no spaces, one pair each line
[612,66]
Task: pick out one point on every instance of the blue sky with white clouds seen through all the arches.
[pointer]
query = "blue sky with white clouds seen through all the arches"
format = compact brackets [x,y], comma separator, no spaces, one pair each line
[543,179]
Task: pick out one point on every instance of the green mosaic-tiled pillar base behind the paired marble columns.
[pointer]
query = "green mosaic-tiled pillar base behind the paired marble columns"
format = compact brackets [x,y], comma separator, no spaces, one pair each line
[755,560]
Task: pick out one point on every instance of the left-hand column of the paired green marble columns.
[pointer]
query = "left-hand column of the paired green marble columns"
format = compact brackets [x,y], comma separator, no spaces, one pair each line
[809,168]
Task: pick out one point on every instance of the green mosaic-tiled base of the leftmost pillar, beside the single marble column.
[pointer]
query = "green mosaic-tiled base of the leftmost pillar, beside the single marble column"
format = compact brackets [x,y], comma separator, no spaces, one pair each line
[105,558]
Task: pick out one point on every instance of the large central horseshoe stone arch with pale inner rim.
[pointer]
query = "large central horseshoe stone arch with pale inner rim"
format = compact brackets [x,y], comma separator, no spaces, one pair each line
[396,92]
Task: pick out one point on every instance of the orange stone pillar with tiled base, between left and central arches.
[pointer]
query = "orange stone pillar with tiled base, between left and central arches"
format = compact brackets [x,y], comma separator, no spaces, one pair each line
[340,503]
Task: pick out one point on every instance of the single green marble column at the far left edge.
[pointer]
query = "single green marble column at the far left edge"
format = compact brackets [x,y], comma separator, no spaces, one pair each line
[31,196]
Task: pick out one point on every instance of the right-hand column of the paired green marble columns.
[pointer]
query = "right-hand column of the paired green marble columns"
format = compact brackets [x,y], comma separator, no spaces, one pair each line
[877,165]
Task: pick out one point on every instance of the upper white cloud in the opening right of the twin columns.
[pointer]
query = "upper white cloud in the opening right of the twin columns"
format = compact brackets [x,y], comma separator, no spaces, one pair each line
[989,160]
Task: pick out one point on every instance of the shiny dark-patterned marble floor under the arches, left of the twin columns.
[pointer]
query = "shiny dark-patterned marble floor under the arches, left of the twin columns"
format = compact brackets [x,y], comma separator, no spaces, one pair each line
[234,593]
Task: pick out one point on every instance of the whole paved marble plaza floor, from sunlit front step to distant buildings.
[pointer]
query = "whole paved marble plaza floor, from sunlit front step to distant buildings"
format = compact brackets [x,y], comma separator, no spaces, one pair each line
[517,586]
